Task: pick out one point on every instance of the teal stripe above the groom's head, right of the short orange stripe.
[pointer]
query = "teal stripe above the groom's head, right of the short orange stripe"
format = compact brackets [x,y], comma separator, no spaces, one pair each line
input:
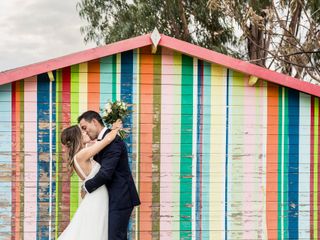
[106,80]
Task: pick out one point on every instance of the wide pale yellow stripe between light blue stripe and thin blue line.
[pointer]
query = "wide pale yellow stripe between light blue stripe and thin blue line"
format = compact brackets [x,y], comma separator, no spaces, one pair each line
[217,161]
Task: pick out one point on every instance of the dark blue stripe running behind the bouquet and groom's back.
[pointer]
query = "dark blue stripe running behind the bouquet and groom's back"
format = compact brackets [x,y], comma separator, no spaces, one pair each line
[126,96]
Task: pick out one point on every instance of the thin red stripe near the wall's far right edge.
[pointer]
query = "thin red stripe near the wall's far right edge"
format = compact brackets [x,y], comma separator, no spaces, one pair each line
[311,168]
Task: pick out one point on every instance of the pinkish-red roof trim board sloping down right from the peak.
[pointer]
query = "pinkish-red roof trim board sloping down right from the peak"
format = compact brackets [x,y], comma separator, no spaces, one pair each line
[239,65]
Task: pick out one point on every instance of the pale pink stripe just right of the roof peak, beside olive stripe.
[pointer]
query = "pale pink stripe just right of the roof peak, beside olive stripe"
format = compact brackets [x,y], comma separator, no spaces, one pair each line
[166,145]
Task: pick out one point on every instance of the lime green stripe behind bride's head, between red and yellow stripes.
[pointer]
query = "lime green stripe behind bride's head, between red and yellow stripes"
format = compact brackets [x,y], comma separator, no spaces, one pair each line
[74,97]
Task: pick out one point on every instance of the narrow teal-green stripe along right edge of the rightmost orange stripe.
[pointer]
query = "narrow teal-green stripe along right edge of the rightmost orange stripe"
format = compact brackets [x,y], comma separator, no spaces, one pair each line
[280,164]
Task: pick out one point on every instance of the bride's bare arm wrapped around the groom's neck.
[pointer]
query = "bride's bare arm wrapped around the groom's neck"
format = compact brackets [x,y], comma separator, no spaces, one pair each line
[88,152]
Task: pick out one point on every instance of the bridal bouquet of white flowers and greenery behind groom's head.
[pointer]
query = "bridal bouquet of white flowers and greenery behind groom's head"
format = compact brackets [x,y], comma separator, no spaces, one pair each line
[113,111]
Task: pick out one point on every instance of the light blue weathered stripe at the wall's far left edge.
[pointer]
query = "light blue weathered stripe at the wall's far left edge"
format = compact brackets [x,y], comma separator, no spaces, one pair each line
[6,159]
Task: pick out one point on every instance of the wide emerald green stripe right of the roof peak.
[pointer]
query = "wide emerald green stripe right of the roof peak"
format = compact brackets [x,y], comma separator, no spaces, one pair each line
[186,148]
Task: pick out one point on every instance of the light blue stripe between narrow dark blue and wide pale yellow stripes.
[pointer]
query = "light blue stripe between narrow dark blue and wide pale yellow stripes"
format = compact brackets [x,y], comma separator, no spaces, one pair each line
[206,152]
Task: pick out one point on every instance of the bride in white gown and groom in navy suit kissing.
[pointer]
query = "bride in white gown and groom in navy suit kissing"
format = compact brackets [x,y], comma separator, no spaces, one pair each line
[108,190]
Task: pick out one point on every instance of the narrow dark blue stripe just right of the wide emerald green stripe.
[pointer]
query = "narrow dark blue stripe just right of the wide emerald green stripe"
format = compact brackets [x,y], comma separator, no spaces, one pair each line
[198,170]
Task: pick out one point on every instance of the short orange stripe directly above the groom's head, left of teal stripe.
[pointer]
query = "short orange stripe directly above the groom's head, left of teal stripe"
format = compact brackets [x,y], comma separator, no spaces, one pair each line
[94,85]
